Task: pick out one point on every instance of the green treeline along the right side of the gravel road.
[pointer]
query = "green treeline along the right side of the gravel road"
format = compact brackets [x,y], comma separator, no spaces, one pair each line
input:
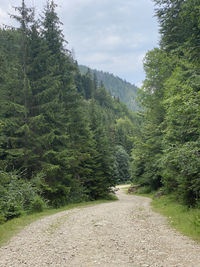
[167,148]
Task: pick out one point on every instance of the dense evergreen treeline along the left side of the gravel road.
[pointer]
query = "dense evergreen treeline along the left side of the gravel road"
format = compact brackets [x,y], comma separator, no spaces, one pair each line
[63,138]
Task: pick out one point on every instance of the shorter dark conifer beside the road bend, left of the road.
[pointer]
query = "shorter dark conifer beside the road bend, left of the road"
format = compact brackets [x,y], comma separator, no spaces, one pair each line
[102,178]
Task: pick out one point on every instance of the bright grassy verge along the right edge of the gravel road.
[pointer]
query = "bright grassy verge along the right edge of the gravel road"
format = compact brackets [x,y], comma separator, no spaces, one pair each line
[186,221]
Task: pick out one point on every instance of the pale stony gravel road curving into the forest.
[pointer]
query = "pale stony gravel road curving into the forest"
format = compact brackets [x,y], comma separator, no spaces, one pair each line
[118,234]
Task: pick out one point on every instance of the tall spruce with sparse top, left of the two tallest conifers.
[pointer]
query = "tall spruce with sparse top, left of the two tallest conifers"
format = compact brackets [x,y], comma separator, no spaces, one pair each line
[17,152]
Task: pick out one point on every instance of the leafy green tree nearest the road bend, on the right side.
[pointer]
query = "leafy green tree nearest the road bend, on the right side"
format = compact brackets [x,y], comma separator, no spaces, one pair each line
[147,150]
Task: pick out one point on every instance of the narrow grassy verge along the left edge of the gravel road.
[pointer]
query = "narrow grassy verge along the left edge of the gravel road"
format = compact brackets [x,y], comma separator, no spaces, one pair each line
[12,227]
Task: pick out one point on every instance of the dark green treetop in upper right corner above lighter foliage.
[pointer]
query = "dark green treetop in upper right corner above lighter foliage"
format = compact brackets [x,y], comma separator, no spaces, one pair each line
[179,26]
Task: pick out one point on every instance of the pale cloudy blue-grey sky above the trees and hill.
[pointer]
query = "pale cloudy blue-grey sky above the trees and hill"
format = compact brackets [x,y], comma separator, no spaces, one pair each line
[108,35]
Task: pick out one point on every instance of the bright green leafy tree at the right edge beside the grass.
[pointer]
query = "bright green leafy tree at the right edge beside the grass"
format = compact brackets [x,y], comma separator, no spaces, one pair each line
[180,161]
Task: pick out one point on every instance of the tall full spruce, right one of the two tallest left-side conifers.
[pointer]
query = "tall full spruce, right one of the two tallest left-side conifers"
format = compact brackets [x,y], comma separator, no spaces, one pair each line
[62,102]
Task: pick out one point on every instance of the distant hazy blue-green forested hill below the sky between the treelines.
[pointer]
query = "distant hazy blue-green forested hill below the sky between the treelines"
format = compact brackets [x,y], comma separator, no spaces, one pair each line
[117,87]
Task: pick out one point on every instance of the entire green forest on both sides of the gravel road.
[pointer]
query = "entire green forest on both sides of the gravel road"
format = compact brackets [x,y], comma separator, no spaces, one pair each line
[65,139]
